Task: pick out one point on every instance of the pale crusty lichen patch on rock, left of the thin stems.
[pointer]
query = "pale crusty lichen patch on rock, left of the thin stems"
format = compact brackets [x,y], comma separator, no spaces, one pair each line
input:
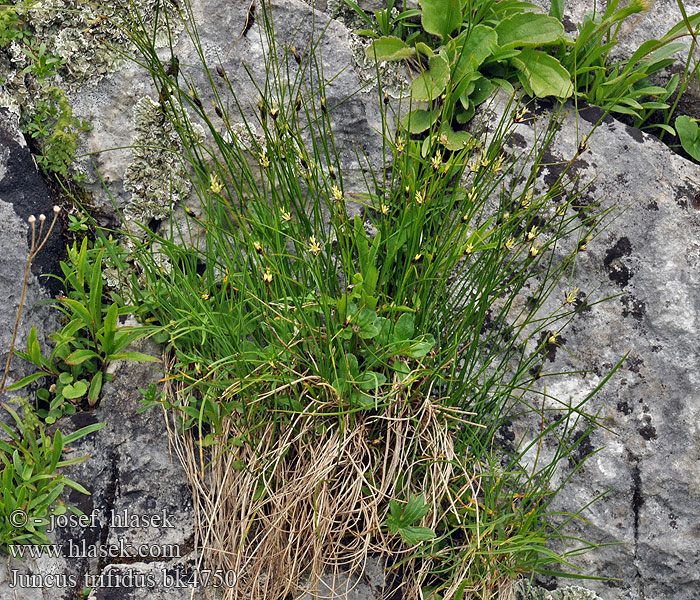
[157,177]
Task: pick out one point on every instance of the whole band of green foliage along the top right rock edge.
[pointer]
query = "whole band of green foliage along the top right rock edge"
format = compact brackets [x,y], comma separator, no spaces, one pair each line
[492,44]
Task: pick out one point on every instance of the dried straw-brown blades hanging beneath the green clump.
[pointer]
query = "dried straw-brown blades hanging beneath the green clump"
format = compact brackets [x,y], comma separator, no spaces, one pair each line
[305,497]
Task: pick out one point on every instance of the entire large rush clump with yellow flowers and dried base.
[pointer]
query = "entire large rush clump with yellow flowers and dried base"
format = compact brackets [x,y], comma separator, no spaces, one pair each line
[341,360]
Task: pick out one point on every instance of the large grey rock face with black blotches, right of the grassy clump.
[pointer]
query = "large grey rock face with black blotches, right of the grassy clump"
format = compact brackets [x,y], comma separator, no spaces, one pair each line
[646,262]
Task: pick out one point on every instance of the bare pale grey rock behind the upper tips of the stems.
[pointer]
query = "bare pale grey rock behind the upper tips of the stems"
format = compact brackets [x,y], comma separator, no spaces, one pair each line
[108,105]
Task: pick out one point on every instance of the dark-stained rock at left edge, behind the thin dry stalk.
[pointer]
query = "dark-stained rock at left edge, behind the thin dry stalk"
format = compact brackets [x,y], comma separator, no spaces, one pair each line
[23,193]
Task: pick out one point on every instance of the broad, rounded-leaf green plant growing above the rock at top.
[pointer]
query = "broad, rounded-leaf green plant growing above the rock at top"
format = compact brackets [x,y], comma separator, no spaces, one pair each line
[480,49]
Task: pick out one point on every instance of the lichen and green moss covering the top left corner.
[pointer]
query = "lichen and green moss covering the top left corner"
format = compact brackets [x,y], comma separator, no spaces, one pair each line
[48,46]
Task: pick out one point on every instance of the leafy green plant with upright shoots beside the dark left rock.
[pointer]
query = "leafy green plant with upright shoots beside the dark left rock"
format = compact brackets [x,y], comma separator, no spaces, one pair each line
[90,339]
